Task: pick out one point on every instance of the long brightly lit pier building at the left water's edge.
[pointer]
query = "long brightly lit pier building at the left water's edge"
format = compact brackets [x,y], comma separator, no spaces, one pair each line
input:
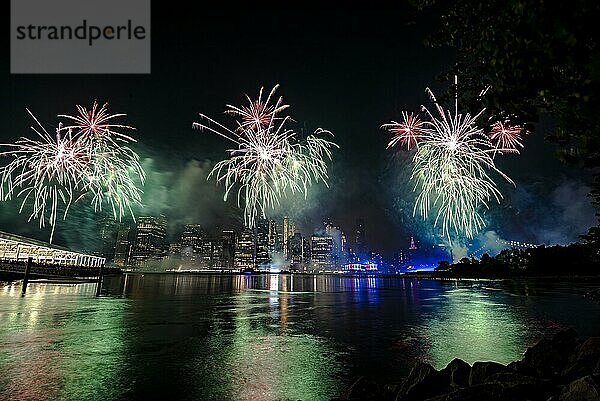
[17,249]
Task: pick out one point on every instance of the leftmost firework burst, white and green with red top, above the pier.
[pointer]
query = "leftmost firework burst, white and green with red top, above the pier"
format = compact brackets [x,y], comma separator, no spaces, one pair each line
[87,158]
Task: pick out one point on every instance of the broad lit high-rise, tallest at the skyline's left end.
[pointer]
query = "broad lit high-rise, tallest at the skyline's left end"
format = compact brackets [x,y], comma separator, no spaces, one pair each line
[149,241]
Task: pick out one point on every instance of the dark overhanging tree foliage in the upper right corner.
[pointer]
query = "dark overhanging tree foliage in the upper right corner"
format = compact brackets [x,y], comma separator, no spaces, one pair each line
[539,58]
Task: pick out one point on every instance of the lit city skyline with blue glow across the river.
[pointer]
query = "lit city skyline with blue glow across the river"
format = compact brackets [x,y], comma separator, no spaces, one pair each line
[145,246]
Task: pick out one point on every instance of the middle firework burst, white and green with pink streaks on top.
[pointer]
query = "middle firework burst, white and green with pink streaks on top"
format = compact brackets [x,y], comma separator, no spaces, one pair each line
[268,159]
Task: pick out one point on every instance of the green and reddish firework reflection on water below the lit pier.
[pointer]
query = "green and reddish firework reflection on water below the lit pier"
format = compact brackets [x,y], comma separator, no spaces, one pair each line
[53,342]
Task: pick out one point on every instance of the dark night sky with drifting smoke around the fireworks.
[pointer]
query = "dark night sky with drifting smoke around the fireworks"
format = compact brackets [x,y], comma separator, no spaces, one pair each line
[346,69]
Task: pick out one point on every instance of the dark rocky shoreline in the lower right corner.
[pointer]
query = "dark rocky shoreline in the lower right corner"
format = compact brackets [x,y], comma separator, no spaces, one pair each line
[561,368]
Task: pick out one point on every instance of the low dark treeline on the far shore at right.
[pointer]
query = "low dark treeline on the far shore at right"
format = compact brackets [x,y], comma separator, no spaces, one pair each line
[572,260]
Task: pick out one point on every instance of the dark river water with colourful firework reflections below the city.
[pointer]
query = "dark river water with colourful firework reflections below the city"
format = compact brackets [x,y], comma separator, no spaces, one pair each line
[264,337]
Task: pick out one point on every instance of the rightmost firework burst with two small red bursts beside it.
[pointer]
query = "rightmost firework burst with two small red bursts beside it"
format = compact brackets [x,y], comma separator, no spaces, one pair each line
[453,164]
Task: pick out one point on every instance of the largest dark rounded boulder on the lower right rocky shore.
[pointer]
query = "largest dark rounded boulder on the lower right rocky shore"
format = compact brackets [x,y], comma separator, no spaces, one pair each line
[549,357]
